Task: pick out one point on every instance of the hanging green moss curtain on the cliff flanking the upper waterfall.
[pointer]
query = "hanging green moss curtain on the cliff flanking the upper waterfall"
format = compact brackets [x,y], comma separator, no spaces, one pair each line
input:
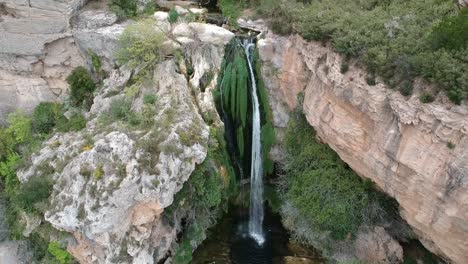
[234,102]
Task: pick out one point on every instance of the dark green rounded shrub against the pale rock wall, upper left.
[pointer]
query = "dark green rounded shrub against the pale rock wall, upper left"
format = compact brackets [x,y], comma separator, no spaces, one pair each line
[81,87]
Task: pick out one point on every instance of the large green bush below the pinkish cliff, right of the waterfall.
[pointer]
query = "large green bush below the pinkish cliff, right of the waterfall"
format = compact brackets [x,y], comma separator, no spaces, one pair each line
[328,195]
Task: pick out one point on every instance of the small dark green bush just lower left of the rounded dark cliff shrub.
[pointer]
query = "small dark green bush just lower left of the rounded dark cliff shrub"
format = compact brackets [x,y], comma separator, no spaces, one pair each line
[45,117]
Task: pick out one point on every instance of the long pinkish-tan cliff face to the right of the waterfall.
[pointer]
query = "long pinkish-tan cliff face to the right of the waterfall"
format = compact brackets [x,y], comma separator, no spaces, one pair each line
[397,142]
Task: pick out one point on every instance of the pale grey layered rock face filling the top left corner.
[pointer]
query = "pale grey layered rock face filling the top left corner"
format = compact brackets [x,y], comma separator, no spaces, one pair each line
[37,51]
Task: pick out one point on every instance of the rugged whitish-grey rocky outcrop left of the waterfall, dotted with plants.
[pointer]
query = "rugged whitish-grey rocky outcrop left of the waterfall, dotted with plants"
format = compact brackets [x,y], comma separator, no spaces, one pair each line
[113,182]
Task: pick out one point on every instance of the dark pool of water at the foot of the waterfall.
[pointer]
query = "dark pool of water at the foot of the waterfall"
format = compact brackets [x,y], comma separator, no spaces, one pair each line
[229,243]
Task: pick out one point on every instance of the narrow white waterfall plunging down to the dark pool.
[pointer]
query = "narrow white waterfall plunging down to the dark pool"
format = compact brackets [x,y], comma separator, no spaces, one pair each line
[256,174]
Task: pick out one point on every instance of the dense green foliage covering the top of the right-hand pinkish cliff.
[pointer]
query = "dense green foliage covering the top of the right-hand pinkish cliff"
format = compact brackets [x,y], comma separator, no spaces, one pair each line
[396,40]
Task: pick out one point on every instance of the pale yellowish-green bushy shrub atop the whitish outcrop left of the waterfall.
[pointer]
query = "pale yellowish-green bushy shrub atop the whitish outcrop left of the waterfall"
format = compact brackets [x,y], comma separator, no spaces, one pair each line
[140,44]
